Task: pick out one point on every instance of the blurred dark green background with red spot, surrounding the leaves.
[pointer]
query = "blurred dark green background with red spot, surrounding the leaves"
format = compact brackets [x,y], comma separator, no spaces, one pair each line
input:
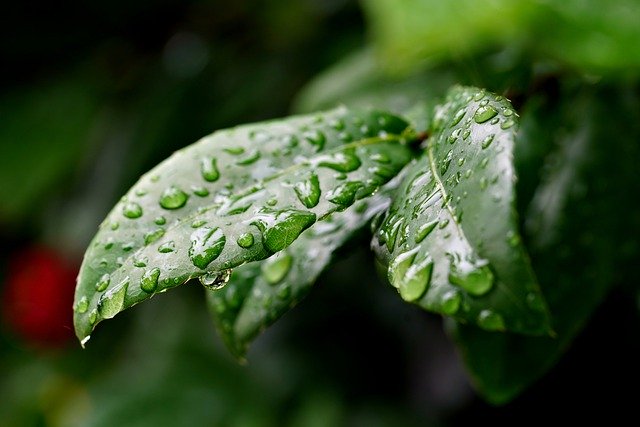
[93,94]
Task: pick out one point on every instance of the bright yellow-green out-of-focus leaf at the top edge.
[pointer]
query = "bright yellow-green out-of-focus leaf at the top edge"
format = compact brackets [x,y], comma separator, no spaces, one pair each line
[412,33]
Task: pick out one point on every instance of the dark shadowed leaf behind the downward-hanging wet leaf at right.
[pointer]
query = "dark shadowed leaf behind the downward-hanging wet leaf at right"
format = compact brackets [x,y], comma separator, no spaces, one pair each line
[583,226]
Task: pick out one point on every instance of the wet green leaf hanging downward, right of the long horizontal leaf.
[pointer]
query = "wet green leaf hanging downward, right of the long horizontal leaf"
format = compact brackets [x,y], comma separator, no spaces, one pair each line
[450,238]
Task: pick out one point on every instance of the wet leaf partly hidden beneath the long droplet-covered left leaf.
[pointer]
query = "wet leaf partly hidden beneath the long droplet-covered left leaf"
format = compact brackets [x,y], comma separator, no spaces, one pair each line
[261,292]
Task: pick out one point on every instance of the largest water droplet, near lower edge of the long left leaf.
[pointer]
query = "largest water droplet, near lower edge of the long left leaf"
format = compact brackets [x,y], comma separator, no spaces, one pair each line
[280,228]
